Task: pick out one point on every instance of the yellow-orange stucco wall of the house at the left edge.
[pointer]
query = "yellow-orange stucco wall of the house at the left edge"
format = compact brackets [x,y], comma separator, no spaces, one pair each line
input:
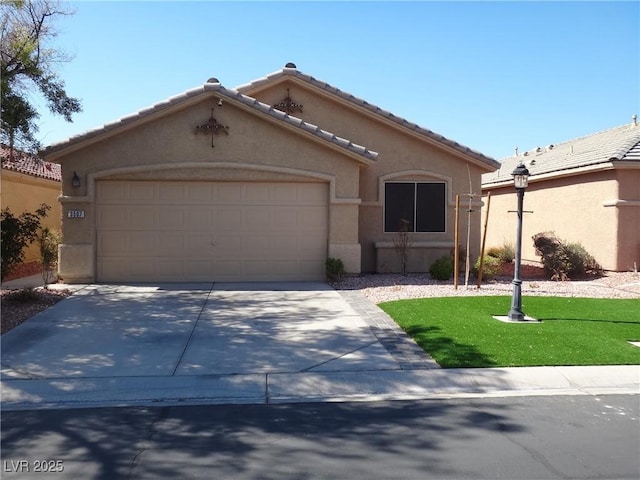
[25,193]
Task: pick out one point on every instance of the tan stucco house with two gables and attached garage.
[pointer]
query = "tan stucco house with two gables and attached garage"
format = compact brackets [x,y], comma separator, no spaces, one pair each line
[262,182]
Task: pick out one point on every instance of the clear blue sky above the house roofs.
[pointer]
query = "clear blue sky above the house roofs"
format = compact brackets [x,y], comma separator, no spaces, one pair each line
[489,75]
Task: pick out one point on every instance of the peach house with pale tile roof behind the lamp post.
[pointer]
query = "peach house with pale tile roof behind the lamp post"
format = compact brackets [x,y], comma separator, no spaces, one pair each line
[586,190]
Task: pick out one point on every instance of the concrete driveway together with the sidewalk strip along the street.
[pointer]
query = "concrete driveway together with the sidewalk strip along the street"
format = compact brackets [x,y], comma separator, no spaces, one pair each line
[185,344]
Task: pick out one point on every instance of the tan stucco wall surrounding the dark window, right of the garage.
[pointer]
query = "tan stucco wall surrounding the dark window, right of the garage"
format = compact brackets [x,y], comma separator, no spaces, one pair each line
[402,156]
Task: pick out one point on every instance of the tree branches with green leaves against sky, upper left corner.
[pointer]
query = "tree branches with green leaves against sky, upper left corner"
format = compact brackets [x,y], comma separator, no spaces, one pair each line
[27,64]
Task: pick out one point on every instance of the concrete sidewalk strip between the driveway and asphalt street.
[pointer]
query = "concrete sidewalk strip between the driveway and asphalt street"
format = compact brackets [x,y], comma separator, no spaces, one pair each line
[308,387]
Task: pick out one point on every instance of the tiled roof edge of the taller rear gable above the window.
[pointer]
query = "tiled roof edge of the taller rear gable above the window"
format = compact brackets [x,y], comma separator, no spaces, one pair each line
[291,71]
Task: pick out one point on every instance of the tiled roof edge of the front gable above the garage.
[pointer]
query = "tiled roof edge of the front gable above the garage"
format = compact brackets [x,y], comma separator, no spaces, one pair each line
[214,86]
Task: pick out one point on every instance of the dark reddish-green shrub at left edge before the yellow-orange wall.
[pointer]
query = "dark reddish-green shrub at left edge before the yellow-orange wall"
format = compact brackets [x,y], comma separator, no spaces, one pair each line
[17,233]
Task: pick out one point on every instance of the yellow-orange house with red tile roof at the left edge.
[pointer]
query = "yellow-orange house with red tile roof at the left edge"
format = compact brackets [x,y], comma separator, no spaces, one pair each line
[28,182]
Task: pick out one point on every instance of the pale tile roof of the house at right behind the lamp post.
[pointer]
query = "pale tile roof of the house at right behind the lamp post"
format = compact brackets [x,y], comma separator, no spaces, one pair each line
[619,144]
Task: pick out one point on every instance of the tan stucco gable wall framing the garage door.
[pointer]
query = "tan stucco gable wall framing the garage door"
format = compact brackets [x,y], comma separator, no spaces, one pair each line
[165,148]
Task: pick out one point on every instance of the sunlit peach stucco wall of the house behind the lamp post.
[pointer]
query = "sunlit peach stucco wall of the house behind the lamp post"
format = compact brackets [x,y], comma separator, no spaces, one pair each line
[576,208]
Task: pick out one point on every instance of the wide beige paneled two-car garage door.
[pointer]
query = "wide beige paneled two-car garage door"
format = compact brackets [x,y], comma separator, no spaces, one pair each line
[204,231]
